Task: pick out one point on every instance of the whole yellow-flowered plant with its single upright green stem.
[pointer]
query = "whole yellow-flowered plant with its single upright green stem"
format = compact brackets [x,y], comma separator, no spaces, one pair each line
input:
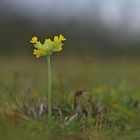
[47,49]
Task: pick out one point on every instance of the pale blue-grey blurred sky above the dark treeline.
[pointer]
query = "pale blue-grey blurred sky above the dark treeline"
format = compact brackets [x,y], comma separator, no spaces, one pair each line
[112,13]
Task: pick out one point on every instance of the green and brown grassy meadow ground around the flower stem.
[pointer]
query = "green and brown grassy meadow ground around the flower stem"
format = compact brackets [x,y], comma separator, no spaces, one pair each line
[114,85]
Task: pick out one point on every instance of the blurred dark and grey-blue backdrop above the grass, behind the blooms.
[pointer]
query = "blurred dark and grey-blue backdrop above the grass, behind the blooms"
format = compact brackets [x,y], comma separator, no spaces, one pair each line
[93,28]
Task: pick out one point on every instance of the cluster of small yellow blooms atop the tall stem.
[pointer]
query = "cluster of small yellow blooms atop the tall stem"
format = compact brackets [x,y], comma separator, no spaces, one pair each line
[48,47]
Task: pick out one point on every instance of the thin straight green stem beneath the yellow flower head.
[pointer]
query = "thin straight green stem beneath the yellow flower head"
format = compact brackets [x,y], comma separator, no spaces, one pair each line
[49,87]
